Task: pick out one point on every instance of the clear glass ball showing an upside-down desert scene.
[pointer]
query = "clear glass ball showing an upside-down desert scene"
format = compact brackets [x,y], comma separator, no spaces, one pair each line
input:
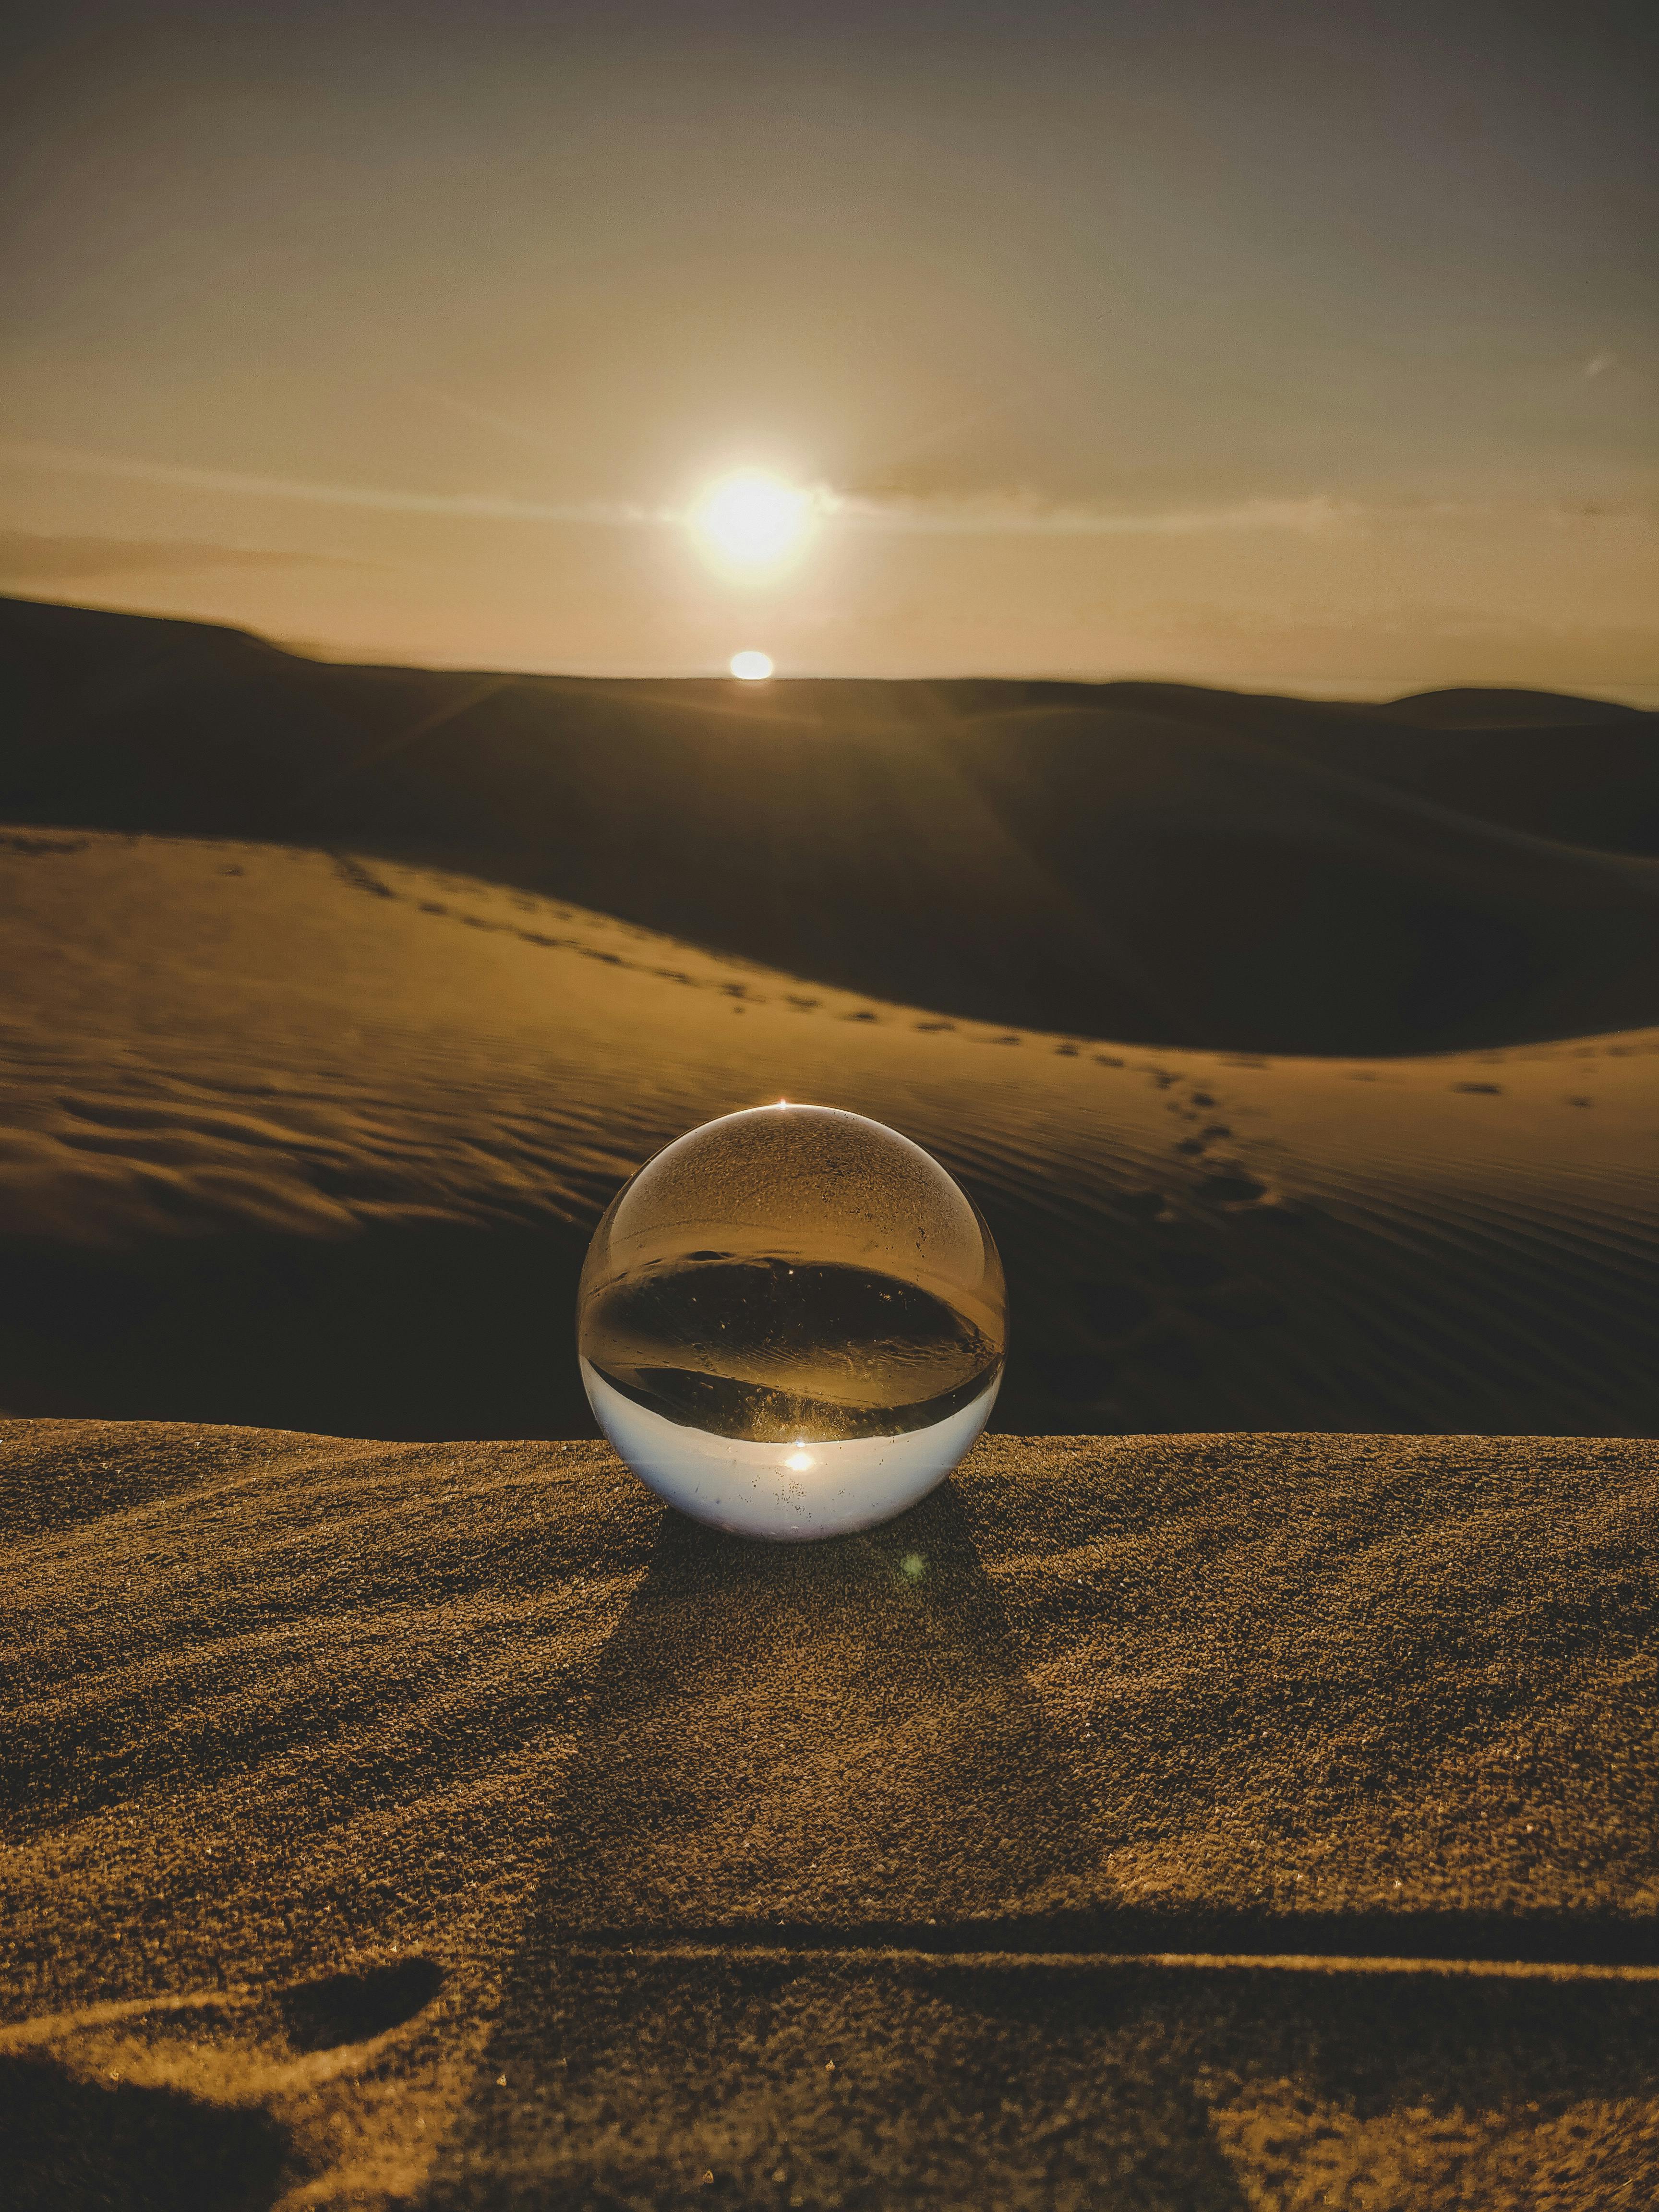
[793,1322]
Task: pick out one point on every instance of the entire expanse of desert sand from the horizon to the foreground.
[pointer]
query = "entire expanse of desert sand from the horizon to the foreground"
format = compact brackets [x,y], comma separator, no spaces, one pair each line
[1191,1822]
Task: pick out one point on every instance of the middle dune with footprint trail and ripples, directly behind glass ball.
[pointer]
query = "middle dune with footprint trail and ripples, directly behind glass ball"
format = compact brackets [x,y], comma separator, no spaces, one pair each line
[320,1140]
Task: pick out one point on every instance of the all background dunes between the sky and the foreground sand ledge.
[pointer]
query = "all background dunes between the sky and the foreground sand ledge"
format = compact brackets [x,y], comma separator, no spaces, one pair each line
[309,1120]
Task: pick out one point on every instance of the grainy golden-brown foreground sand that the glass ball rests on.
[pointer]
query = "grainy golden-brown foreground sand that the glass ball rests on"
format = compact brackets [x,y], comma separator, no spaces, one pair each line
[1193,1822]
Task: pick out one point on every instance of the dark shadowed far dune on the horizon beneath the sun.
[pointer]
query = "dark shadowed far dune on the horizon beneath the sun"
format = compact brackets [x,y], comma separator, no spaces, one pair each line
[1147,862]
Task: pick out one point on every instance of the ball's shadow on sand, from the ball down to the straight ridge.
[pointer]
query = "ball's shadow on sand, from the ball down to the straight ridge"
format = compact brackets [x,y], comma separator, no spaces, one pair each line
[817,1733]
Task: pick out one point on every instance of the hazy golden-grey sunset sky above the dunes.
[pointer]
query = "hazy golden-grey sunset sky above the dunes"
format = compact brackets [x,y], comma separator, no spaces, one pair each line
[1288,346]
